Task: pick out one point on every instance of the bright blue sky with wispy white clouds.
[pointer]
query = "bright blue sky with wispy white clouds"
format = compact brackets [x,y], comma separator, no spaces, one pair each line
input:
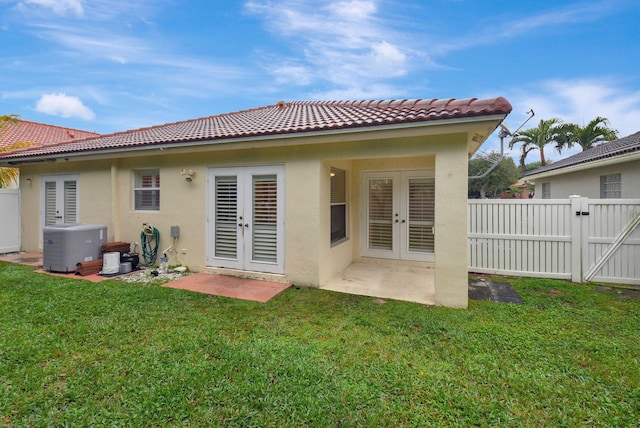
[112,65]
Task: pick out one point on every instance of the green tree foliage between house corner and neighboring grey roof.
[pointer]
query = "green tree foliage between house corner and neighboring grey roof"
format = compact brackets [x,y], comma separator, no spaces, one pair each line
[496,182]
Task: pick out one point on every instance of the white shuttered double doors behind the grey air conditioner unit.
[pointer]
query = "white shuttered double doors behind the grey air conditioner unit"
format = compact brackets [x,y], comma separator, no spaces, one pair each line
[59,199]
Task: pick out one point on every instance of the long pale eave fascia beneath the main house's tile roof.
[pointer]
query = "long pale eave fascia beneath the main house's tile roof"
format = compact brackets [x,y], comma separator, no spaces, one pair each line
[51,157]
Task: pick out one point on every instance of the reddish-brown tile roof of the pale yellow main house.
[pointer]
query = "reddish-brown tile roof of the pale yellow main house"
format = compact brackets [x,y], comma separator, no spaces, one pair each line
[281,119]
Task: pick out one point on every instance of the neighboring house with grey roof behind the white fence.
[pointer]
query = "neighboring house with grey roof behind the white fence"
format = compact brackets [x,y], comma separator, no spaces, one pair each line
[609,170]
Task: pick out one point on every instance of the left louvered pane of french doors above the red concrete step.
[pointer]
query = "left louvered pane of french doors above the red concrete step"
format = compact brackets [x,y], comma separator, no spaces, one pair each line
[226,227]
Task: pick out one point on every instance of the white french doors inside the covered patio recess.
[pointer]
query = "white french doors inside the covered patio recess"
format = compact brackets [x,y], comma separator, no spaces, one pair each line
[398,208]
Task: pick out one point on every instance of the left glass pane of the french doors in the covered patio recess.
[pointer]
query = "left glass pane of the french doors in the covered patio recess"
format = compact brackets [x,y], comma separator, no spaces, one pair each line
[381,214]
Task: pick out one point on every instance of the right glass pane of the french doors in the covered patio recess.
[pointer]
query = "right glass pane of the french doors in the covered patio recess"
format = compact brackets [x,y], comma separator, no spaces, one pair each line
[421,215]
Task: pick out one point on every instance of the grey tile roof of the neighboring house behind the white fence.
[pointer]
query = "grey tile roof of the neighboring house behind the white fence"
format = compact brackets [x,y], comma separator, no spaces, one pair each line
[628,144]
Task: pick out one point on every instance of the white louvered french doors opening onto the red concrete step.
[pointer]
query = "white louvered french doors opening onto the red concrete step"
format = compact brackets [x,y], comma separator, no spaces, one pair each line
[246,218]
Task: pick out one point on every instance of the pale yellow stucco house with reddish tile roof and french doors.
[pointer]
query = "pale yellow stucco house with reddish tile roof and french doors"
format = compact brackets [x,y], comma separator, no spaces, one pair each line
[298,190]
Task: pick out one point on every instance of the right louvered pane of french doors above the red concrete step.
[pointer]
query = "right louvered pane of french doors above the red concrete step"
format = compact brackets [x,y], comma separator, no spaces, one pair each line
[265,218]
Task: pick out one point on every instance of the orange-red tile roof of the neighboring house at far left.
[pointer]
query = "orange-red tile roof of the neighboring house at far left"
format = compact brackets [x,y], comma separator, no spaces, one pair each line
[39,134]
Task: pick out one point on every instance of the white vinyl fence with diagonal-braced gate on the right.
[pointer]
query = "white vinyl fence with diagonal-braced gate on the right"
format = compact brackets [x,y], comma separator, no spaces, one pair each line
[578,238]
